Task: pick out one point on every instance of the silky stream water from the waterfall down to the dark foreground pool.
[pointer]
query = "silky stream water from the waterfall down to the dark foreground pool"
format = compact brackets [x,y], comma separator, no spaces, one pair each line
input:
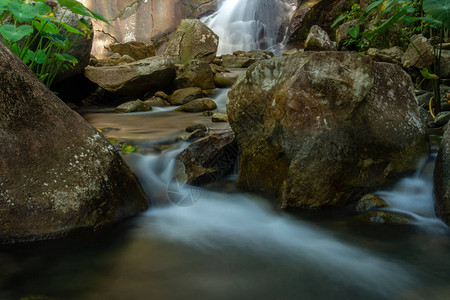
[218,242]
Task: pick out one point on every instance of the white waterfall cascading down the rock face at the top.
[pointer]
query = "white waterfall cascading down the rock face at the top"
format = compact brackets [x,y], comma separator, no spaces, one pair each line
[250,24]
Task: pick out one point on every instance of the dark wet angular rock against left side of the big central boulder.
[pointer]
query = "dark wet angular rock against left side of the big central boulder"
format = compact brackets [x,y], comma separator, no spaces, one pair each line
[207,159]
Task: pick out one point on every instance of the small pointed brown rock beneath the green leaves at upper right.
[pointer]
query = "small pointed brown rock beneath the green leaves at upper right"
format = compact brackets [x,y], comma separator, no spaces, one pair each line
[412,59]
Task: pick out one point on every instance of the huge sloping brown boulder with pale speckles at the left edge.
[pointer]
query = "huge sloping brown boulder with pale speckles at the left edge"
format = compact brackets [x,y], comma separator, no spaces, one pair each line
[57,173]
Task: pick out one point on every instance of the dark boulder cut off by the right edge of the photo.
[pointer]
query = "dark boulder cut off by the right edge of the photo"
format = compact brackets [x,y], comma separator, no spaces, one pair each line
[442,179]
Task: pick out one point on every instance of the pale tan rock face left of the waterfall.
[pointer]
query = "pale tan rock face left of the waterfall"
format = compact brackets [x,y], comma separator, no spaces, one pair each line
[149,21]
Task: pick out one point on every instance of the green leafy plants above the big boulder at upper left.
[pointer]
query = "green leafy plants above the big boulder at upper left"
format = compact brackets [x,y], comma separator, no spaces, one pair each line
[33,33]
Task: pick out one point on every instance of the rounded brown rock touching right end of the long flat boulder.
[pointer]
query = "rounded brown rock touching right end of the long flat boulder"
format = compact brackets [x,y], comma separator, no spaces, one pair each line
[195,74]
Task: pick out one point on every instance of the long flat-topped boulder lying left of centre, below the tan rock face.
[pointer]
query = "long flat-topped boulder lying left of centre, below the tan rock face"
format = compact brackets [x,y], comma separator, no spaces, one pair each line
[136,78]
